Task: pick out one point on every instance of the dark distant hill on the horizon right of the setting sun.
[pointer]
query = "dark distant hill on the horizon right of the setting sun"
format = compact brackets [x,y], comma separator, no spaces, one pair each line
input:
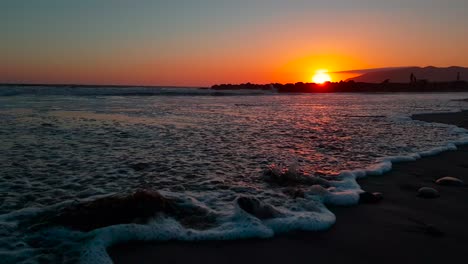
[402,75]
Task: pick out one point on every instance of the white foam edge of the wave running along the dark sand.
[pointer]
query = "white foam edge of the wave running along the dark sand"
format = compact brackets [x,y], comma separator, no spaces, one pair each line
[308,213]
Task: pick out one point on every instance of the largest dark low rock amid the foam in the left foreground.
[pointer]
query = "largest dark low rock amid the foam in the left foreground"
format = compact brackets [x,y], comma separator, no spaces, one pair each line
[138,207]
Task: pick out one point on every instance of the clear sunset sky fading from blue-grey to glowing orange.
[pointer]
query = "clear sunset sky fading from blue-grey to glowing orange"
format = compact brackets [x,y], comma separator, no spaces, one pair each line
[205,42]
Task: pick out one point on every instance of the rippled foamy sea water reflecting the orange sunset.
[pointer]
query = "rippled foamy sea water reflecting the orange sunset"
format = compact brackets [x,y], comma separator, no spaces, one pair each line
[205,150]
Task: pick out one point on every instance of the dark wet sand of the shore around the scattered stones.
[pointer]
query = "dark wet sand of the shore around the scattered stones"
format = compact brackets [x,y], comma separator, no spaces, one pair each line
[402,228]
